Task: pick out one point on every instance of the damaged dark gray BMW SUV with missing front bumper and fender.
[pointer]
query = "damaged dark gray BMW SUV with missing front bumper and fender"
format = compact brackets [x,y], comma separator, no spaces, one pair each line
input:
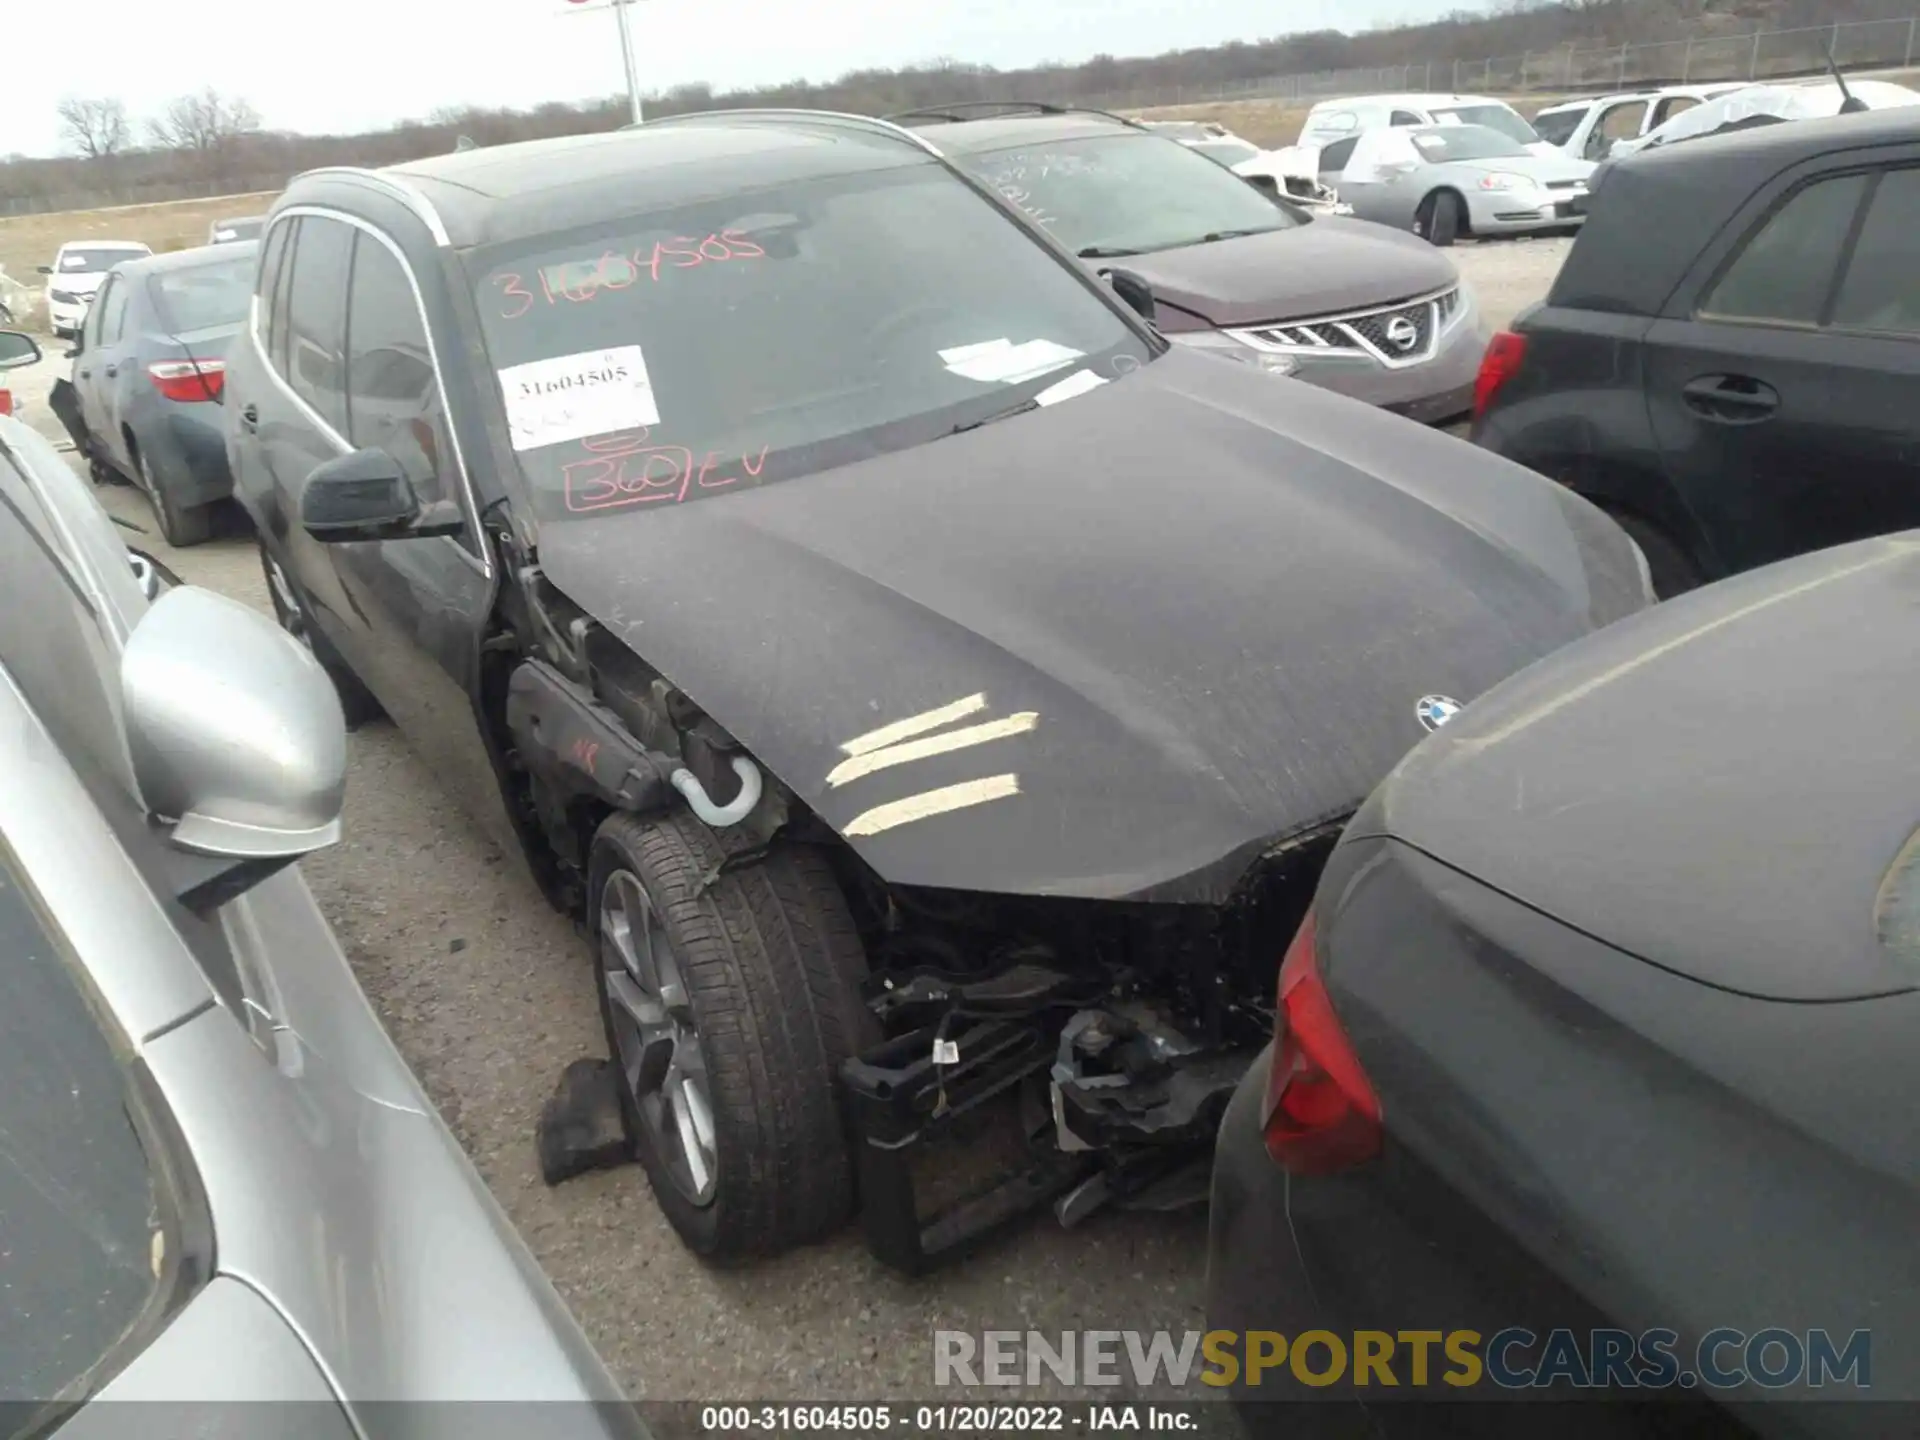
[934,690]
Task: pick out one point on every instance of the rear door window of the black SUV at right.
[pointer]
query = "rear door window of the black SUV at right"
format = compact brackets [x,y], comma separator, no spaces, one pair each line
[1787,270]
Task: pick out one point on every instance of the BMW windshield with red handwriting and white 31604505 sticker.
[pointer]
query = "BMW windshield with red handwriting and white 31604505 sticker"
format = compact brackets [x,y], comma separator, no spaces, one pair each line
[734,343]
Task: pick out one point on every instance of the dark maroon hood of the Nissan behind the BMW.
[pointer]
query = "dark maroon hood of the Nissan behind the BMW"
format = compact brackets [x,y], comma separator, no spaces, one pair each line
[1324,268]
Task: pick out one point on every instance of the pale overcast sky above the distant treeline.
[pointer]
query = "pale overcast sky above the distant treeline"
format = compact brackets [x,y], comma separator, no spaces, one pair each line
[356,64]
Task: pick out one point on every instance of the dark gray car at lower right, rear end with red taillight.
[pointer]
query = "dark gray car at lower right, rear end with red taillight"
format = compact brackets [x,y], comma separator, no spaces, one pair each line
[1596,1053]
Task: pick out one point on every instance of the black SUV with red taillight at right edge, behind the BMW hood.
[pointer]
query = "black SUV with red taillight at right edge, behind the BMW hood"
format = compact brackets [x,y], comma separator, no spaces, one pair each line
[1731,358]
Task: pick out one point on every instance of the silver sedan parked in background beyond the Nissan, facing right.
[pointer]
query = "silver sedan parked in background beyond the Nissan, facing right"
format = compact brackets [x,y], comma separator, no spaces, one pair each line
[1454,181]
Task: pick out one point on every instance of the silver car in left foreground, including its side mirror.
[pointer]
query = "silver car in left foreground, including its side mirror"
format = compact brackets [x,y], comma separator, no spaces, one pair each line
[218,1178]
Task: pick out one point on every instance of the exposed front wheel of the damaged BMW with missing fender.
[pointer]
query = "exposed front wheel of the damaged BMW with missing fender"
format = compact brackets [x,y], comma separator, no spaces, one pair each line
[765,1009]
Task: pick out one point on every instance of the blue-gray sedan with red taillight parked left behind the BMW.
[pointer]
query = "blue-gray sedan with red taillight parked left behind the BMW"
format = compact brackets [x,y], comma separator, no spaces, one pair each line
[149,377]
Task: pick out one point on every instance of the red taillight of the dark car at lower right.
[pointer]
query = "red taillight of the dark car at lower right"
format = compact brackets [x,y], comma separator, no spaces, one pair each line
[1322,1111]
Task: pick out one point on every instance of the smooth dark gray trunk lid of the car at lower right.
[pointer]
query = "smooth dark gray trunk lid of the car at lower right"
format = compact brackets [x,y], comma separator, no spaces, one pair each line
[1721,786]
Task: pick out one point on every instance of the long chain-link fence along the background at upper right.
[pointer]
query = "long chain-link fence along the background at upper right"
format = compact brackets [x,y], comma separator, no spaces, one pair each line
[1700,60]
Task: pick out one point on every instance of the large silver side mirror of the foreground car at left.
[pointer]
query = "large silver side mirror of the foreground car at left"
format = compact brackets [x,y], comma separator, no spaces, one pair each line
[237,742]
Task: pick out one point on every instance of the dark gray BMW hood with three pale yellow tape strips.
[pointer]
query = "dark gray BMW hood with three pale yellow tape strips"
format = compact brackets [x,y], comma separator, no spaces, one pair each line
[1145,635]
